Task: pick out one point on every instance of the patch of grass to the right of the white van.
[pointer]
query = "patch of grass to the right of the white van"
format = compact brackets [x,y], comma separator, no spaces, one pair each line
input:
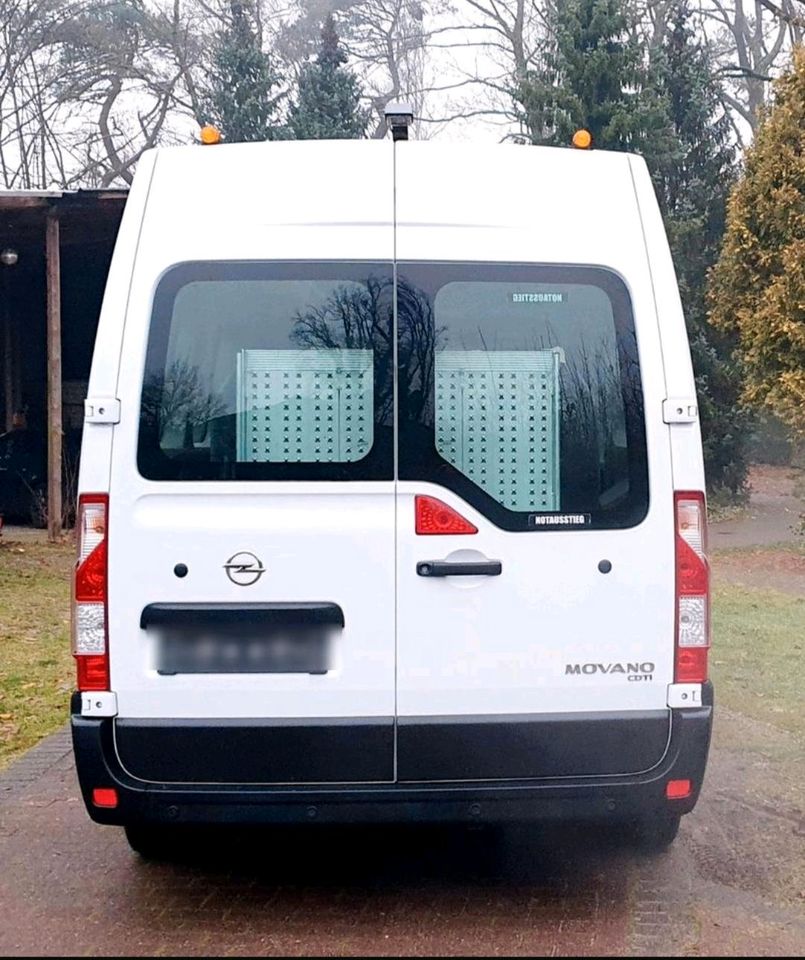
[757,656]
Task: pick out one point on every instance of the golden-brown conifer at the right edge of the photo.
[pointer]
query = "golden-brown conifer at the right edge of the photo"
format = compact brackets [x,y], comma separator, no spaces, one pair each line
[758,284]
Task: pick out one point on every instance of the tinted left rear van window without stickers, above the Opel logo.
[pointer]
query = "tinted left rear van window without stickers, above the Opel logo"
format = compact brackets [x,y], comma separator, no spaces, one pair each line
[269,371]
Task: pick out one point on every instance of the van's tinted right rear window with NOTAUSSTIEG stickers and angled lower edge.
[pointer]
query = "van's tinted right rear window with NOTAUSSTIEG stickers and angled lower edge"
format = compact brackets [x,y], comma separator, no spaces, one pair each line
[520,390]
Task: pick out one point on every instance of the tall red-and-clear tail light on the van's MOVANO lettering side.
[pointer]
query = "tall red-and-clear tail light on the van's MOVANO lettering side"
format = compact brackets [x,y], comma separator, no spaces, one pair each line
[692,589]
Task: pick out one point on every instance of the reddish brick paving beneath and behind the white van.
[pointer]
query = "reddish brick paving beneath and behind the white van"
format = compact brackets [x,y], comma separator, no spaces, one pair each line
[68,886]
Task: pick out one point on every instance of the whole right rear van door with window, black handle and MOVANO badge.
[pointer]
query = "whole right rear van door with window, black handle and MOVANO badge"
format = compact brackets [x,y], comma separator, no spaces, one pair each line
[535,526]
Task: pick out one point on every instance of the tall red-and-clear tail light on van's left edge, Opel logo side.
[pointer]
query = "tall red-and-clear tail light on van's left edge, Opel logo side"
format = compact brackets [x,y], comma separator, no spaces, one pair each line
[90,639]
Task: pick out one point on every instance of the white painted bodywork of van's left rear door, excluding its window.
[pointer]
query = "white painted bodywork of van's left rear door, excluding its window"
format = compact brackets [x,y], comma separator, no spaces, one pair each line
[323,542]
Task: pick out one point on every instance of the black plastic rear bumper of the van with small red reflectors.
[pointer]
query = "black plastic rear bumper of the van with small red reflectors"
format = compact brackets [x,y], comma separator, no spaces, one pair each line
[614,797]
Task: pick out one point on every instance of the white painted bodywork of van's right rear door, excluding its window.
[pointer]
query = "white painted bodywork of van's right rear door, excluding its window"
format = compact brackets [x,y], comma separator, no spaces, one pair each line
[551,634]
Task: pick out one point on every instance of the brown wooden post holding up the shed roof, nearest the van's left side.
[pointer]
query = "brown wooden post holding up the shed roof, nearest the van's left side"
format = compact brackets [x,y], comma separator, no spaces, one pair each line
[55,425]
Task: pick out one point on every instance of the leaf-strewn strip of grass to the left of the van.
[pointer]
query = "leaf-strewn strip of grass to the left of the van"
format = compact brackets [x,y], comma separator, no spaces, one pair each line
[36,669]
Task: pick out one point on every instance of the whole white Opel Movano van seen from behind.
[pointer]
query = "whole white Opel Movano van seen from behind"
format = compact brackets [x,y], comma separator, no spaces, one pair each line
[391,495]
